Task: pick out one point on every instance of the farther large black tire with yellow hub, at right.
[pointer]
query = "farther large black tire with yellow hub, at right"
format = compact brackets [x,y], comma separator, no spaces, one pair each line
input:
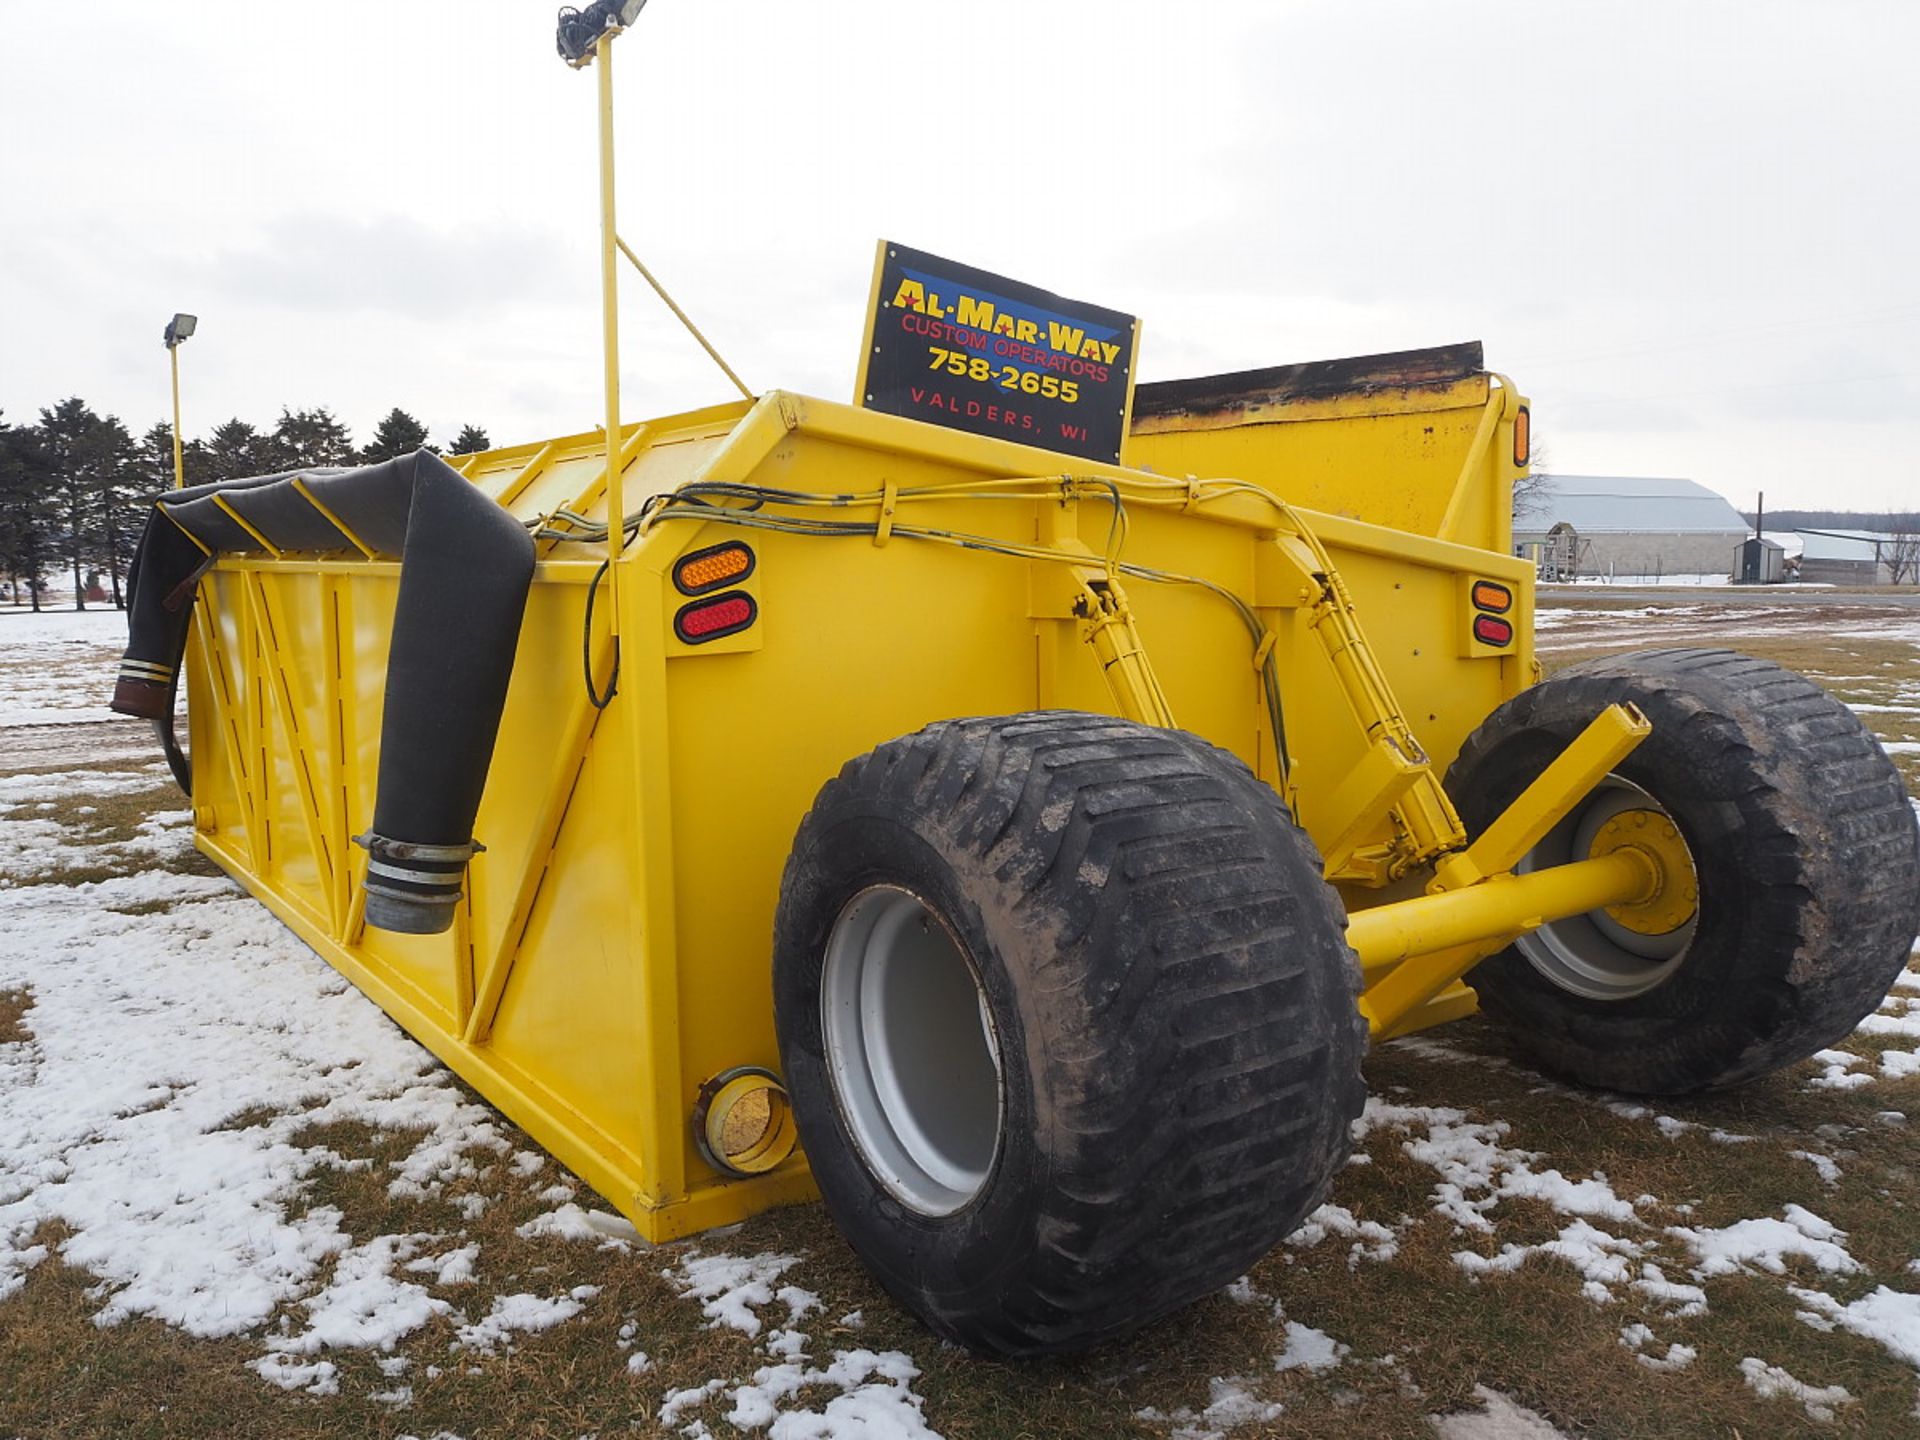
[1794,875]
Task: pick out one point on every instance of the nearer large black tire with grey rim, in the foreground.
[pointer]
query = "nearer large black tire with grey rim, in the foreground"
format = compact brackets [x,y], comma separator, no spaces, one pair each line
[1068,1022]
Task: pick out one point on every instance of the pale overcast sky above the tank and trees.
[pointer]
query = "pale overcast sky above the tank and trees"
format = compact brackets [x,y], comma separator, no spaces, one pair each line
[1691,229]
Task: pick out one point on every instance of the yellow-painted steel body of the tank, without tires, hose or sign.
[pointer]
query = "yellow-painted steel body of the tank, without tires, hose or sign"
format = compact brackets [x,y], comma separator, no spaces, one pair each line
[612,957]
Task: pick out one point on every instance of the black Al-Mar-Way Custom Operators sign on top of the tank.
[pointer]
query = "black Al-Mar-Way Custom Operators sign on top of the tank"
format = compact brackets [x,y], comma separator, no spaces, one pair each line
[978,352]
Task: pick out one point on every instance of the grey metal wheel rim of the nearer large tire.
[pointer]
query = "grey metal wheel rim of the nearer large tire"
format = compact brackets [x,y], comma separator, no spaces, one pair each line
[911,1051]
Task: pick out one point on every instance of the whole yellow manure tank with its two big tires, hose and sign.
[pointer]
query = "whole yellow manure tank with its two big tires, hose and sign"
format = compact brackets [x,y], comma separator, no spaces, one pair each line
[1013,844]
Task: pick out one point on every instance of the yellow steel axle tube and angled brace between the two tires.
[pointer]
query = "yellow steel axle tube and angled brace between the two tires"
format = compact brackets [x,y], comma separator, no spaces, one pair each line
[1477,907]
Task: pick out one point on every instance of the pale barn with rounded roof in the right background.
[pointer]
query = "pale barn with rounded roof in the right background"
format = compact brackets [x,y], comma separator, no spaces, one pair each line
[1593,525]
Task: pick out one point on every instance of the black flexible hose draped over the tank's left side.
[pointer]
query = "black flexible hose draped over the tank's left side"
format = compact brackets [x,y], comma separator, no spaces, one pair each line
[466,567]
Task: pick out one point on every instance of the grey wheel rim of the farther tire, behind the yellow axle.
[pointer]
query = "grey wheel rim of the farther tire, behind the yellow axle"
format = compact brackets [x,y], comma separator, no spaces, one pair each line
[1593,955]
